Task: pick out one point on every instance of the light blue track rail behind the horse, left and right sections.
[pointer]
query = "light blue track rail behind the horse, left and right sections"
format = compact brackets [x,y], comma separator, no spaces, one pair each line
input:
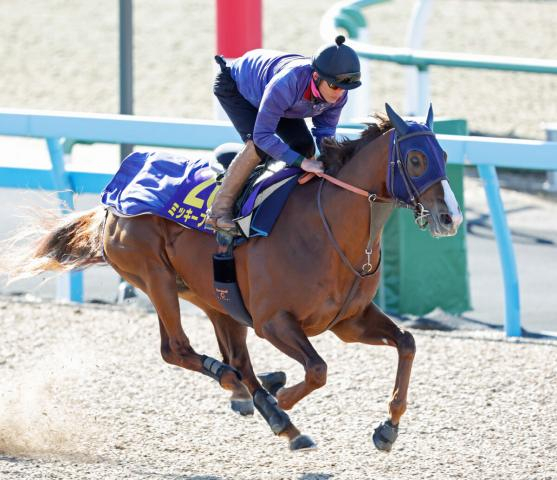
[486,153]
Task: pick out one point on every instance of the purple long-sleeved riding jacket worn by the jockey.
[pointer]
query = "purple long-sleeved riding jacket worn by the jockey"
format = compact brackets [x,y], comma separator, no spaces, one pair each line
[275,83]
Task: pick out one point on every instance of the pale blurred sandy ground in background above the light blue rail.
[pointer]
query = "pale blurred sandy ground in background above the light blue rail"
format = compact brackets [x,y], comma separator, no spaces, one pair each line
[63,55]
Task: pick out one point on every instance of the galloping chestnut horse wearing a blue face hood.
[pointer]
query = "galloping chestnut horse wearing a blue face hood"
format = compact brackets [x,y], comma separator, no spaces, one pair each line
[299,282]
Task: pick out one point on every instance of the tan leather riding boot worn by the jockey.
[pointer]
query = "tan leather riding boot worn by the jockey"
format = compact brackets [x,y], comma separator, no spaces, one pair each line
[219,216]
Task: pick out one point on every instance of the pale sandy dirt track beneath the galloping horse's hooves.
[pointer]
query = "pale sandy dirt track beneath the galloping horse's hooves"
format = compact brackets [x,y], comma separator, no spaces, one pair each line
[85,394]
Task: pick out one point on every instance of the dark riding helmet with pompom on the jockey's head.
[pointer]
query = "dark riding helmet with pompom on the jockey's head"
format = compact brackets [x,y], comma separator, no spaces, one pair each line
[338,65]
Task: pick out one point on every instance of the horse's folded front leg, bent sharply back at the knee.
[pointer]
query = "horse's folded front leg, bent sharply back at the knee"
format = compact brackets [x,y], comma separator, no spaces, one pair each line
[284,332]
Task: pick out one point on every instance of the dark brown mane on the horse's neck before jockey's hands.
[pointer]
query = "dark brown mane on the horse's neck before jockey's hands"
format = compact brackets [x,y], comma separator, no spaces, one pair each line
[335,153]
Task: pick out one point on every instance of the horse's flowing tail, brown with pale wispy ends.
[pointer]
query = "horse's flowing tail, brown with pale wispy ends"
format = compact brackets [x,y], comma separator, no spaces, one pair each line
[59,244]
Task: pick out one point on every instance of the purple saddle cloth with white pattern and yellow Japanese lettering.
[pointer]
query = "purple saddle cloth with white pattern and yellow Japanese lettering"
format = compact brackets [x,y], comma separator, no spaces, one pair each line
[180,189]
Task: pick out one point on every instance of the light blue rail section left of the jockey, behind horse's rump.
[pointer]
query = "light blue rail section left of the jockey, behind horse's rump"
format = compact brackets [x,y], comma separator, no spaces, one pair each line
[55,127]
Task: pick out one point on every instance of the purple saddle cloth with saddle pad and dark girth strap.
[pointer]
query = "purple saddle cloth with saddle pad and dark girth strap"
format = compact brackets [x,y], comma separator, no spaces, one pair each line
[174,187]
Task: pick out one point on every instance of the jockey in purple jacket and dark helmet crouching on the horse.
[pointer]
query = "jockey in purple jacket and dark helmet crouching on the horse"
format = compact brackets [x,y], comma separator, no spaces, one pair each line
[267,94]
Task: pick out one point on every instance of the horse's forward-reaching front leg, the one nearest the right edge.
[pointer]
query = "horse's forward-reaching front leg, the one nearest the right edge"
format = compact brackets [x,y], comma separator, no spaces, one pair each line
[373,327]
